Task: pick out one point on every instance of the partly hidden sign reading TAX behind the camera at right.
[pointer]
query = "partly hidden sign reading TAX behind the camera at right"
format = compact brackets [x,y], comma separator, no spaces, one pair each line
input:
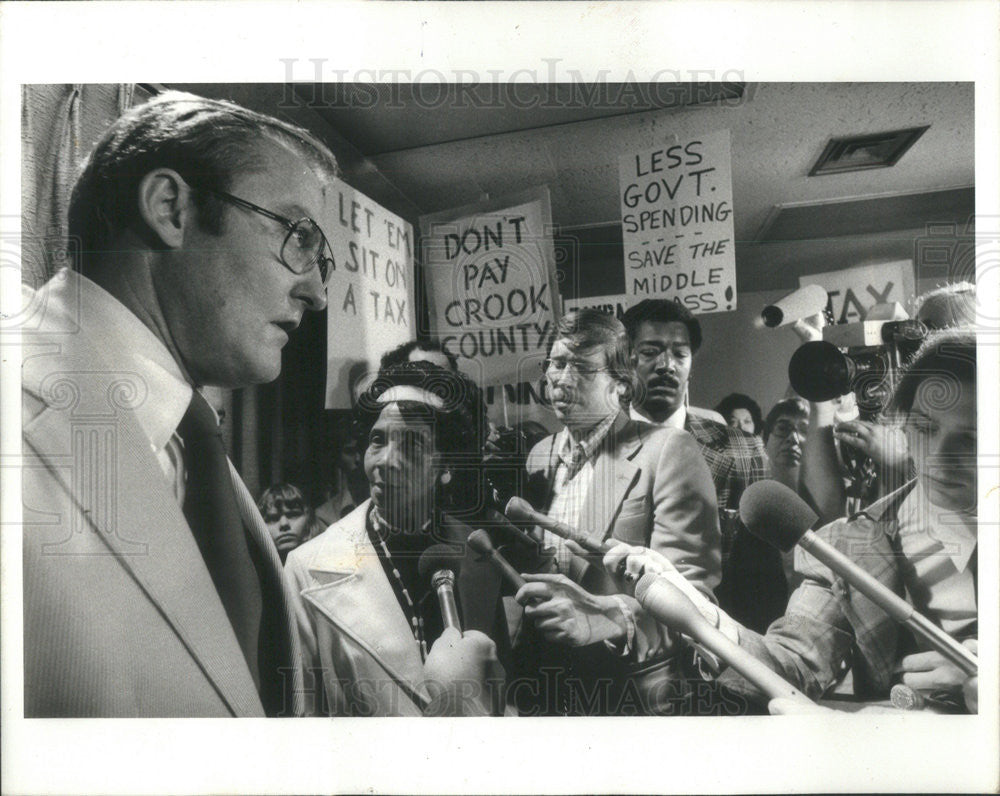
[852,292]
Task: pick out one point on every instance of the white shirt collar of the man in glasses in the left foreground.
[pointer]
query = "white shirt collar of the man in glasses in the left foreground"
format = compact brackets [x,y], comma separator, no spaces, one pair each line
[129,345]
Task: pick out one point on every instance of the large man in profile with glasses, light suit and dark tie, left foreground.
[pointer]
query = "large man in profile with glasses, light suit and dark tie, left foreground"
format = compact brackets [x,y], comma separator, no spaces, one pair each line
[151,586]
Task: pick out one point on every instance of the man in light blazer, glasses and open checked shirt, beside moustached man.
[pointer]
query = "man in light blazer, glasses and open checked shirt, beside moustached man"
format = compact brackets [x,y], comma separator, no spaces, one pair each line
[613,478]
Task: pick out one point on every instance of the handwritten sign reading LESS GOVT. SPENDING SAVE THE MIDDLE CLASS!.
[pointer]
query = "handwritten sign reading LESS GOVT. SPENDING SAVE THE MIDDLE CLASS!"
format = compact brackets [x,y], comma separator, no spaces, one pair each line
[677,223]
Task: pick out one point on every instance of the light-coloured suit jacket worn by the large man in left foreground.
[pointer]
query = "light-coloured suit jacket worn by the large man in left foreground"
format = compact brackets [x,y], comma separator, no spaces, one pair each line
[120,614]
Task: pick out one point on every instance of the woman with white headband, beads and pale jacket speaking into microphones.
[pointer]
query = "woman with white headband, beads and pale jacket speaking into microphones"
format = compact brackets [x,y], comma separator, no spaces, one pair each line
[367,615]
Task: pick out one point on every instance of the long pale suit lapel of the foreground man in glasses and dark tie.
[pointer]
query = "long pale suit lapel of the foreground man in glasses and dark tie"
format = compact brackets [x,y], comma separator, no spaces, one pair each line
[137,517]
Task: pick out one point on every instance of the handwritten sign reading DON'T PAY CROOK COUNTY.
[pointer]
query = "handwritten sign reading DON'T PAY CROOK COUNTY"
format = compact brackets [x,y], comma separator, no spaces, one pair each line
[490,285]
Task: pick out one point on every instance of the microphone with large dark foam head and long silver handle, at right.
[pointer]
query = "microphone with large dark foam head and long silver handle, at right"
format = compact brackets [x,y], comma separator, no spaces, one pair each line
[773,512]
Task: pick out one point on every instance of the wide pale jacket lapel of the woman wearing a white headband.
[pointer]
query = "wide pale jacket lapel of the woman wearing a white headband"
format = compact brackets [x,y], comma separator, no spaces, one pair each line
[353,594]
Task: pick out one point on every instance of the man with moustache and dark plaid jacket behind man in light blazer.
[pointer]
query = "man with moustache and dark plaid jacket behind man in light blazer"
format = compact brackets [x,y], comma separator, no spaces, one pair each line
[665,336]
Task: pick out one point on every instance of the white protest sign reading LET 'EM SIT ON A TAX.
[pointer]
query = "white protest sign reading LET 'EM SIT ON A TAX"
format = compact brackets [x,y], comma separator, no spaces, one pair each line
[370,293]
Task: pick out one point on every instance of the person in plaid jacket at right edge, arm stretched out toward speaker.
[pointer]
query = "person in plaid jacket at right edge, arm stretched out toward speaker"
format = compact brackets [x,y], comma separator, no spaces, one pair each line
[919,541]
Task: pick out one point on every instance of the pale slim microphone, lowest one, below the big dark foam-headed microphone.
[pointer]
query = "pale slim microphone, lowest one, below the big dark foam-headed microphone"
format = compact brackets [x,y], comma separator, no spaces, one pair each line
[670,606]
